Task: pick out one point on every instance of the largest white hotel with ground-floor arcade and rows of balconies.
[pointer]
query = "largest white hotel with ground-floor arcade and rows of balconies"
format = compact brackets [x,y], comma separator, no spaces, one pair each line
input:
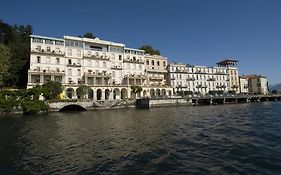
[108,68]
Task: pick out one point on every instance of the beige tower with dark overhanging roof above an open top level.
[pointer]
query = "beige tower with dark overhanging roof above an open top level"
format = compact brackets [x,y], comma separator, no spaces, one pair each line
[232,71]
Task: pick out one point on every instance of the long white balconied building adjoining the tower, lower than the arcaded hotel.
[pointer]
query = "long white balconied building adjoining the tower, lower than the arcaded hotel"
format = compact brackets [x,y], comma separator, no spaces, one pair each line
[197,79]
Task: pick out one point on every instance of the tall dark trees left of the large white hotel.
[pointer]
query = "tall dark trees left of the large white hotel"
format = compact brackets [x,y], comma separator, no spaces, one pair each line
[17,39]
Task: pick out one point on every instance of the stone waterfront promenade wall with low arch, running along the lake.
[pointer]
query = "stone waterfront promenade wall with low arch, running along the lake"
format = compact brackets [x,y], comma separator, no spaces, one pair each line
[155,102]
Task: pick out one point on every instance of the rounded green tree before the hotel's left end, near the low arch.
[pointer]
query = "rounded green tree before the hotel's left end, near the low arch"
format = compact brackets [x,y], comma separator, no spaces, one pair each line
[51,90]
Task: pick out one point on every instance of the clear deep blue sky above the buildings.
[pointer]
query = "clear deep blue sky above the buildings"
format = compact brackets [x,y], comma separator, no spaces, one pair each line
[198,32]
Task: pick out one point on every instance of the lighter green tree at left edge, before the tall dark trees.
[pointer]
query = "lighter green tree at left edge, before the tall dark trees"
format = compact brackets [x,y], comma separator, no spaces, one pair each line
[5,56]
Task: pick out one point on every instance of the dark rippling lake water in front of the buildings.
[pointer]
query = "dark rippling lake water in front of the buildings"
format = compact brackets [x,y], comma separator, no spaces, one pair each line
[221,139]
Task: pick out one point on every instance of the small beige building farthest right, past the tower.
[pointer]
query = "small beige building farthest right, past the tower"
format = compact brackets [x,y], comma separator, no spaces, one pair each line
[257,84]
